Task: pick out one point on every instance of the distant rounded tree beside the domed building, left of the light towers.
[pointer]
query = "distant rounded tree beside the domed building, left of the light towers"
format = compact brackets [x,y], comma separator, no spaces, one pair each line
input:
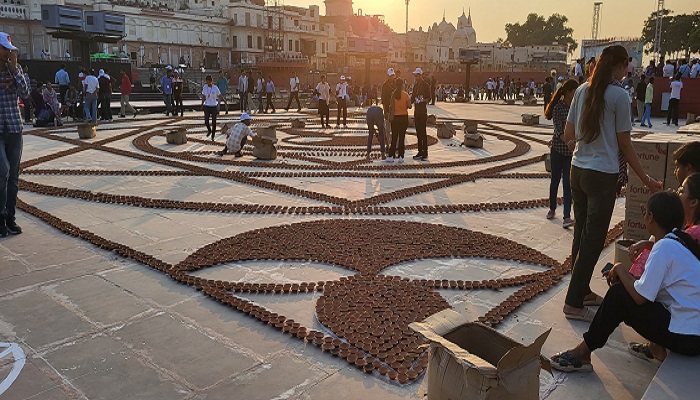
[537,30]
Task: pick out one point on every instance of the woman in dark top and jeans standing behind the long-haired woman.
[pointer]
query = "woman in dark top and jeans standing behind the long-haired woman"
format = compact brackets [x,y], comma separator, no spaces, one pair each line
[560,156]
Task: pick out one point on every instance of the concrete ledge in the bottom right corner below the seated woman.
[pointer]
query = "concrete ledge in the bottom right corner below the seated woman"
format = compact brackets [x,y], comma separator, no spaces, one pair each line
[677,378]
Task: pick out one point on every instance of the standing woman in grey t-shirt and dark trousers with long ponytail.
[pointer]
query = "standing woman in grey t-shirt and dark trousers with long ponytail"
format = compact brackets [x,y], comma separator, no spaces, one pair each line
[599,126]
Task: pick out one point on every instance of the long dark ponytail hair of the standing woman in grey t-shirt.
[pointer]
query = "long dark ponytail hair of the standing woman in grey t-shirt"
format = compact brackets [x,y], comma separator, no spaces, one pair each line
[602,75]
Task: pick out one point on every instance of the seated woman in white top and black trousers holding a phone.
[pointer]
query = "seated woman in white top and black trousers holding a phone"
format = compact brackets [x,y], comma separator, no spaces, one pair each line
[663,305]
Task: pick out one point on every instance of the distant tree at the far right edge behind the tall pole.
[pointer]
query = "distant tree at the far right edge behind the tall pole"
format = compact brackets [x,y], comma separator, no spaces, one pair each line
[679,34]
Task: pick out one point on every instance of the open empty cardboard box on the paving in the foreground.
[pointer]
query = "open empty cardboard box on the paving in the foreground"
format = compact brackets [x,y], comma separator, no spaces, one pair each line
[471,361]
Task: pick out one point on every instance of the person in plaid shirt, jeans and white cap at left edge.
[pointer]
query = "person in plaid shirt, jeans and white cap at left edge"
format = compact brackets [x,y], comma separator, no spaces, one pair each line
[13,84]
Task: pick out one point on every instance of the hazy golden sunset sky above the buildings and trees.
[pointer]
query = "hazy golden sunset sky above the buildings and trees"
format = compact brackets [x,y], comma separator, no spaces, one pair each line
[619,17]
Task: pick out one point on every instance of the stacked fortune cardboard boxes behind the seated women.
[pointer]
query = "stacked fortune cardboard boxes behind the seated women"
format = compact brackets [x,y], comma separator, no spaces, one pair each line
[655,153]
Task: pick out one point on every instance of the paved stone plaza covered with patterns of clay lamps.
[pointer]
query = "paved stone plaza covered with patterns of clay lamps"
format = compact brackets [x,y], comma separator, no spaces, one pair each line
[156,271]
